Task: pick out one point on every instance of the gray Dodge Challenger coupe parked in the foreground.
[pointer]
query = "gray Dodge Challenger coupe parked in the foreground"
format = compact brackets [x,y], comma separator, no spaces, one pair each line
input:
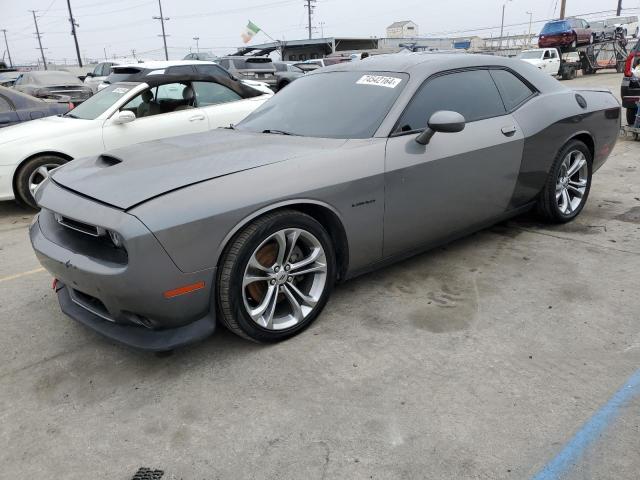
[347,169]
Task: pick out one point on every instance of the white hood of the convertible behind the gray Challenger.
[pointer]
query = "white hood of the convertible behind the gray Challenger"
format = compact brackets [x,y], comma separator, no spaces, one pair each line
[47,127]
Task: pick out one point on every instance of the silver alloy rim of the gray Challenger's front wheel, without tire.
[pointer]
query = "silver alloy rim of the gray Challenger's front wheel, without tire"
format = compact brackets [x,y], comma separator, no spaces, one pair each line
[284,279]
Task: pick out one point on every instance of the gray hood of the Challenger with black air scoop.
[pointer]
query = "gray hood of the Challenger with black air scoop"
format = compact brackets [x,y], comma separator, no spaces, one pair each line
[128,176]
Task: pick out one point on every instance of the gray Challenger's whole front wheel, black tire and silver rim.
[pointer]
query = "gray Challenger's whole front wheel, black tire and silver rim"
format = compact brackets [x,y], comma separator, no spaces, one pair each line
[252,254]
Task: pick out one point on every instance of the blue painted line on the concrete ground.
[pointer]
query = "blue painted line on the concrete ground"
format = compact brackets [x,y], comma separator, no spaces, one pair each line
[590,432]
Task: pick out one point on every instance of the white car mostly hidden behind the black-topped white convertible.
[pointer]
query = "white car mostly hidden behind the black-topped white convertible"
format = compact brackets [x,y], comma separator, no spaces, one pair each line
[122,73]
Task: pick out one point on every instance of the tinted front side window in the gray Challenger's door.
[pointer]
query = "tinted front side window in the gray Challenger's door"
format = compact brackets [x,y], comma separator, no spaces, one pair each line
[472,94]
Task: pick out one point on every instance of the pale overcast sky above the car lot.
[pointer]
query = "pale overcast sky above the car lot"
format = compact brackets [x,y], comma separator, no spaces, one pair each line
[116,27]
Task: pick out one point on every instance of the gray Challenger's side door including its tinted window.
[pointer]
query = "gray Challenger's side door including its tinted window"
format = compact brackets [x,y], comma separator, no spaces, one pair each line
[458,181]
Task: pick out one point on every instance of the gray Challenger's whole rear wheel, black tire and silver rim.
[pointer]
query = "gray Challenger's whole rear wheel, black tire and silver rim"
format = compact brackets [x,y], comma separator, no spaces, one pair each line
[563,209]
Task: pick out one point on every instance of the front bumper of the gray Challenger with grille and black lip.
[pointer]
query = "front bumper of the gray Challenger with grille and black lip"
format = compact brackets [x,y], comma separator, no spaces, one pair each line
[119,294]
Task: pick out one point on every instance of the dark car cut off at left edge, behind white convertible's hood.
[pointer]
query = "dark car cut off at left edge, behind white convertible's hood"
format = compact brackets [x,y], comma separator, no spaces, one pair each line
[17,107]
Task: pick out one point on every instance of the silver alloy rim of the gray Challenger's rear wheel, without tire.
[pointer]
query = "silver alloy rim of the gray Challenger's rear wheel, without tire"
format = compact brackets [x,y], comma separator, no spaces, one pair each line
[572,182]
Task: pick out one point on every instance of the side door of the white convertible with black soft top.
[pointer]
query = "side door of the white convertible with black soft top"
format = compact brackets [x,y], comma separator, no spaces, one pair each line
[163,122]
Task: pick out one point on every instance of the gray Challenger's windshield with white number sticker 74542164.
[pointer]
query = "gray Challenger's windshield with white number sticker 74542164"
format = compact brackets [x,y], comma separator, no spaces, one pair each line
[329,105]
